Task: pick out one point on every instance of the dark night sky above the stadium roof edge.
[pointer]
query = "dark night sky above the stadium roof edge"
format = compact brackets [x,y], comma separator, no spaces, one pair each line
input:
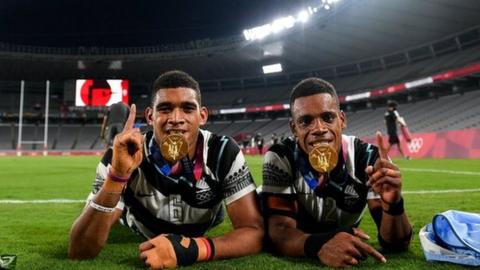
[121,23]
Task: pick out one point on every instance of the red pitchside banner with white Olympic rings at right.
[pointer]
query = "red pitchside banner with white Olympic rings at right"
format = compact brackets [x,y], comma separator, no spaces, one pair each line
[447,144]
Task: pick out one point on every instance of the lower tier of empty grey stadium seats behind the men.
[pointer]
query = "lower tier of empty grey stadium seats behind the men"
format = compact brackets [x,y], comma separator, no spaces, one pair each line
[452,112]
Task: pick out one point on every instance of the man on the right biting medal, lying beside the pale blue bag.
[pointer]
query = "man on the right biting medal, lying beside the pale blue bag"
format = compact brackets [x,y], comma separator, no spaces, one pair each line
[317,186]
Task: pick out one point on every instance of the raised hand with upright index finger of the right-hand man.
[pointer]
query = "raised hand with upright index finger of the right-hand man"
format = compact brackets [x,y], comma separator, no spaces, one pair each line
[384,177]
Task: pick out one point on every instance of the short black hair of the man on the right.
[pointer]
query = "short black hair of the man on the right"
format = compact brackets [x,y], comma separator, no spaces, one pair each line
[312,86]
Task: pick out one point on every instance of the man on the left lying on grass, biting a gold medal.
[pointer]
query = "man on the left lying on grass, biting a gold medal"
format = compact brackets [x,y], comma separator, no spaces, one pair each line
[169,185]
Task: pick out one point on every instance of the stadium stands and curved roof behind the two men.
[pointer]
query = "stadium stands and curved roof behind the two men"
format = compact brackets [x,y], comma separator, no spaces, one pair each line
[228,69]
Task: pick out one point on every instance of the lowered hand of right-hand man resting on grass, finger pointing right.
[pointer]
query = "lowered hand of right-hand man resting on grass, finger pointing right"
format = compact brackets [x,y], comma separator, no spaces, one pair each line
[345,250]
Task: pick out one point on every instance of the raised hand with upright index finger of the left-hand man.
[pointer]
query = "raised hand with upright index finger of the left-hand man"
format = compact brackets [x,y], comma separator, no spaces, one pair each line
[127,148]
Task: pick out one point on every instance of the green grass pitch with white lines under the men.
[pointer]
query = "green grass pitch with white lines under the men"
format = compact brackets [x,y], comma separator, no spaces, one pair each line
[38,232]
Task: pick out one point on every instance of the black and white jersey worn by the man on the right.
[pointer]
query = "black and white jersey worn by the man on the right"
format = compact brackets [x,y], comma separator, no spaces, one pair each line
[340,202]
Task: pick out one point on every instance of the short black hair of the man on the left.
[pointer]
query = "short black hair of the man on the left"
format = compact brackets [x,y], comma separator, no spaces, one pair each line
[176,79]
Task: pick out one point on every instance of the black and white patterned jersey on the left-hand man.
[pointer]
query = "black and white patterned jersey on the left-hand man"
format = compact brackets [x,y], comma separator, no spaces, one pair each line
[154,203]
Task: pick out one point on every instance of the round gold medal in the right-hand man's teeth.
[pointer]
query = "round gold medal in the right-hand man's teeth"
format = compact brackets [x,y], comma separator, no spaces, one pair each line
[323,158]
